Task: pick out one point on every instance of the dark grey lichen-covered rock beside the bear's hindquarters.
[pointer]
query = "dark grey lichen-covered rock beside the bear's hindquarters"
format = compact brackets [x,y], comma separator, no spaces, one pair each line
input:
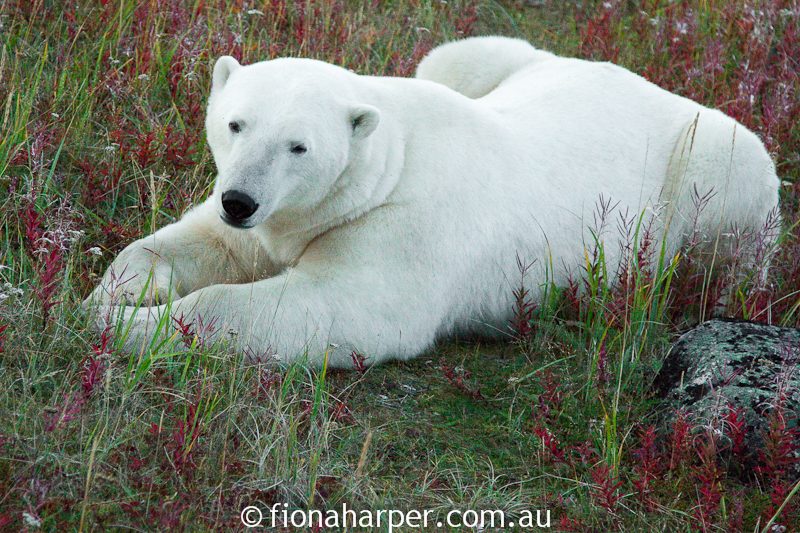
[725,364]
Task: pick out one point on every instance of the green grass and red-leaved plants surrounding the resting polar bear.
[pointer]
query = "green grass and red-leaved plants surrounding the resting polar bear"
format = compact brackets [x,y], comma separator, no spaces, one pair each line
[102,121]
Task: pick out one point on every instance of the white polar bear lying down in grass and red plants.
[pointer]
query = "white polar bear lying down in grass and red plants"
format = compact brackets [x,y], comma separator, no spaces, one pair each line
[377,214]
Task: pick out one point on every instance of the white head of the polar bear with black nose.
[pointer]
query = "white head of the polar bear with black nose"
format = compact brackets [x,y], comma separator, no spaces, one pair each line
[282,132]
